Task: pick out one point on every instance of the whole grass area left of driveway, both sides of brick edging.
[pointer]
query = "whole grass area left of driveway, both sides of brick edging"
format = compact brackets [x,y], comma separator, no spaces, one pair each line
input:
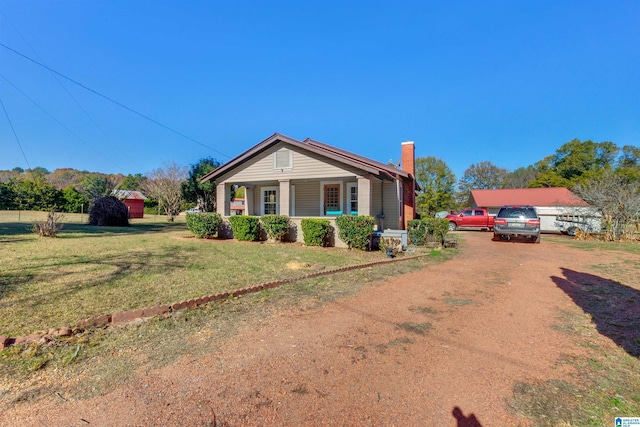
[88,271]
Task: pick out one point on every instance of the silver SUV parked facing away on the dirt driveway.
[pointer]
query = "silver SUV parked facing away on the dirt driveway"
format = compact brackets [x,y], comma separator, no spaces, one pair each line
[512,221]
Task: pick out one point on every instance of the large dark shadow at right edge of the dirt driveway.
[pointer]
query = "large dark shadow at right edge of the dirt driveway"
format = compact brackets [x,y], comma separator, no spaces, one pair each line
[613,306]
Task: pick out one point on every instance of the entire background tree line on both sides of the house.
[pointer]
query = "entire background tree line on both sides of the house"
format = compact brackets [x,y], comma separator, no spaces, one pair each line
[603,174]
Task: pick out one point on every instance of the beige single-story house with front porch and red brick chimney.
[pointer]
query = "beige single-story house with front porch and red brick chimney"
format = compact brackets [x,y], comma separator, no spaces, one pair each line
[303,179]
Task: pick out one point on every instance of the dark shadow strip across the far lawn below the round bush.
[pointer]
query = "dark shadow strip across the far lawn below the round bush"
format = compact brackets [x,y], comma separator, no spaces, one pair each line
[75,230]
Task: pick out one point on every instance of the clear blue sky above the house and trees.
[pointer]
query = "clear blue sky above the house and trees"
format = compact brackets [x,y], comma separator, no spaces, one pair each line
[468,81]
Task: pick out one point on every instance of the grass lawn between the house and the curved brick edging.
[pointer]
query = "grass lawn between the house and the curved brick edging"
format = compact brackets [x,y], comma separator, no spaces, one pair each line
[88,271]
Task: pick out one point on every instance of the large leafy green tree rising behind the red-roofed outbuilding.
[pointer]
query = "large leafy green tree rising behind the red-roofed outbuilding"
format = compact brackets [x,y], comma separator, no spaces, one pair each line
[575,162]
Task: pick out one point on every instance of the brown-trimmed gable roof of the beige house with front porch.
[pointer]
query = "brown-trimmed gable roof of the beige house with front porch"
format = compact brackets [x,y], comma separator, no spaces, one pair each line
[322,149]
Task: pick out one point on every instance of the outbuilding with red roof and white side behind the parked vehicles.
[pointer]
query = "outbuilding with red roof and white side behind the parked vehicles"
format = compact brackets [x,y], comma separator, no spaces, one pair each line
[559,209]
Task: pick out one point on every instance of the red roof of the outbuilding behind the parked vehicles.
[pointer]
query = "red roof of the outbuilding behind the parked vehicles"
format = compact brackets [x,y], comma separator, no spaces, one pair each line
[553,196]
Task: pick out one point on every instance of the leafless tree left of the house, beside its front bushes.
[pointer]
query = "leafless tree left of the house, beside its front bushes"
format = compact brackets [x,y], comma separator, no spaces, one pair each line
[165,185]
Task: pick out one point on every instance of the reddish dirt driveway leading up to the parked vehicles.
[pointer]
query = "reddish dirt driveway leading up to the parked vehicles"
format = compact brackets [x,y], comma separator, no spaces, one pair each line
[442,347]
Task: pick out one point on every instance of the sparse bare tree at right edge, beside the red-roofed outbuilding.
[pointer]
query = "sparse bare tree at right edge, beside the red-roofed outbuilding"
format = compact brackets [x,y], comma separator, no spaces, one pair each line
[617,199]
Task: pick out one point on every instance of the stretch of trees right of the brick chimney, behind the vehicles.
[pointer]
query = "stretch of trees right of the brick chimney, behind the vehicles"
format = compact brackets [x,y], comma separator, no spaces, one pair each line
[581,166]
